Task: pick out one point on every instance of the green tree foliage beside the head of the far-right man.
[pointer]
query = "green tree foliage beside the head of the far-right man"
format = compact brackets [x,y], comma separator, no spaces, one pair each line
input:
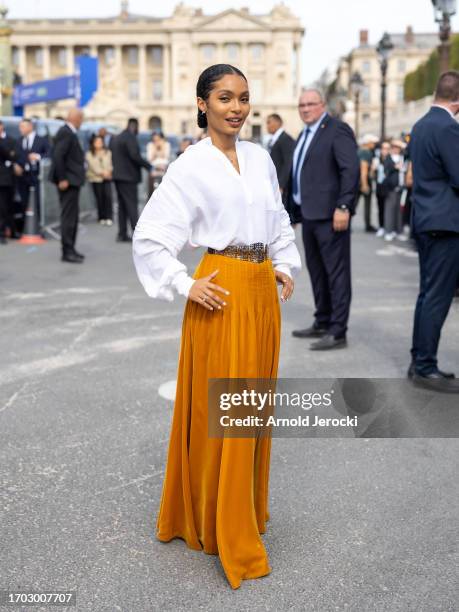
[422,81]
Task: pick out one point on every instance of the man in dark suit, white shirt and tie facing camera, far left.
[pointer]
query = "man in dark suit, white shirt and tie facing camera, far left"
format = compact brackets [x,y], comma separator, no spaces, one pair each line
[31,150]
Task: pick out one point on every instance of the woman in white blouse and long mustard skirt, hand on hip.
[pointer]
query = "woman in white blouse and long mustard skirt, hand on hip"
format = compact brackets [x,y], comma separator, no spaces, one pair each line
[223,194]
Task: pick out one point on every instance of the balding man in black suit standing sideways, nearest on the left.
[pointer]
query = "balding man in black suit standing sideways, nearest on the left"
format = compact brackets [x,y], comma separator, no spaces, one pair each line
[68,172]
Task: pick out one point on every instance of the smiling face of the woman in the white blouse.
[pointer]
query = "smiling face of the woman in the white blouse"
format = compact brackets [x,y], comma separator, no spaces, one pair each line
[228,104]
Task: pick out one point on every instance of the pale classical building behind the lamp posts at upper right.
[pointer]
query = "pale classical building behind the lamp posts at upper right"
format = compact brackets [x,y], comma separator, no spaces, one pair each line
[410,50]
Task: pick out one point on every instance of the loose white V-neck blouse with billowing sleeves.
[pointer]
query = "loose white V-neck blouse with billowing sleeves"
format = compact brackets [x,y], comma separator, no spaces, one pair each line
[204,201]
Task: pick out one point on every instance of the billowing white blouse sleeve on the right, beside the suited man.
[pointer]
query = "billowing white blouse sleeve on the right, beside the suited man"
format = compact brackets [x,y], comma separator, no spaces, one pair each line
[283,251]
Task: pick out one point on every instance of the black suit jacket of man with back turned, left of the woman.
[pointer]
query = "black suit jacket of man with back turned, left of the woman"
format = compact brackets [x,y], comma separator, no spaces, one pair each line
[126,158]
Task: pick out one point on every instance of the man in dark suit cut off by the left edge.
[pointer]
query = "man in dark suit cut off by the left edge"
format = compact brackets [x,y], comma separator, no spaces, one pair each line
[8,156]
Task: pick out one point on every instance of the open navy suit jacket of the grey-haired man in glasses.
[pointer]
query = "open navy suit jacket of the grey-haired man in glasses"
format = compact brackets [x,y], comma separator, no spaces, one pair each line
[330,175]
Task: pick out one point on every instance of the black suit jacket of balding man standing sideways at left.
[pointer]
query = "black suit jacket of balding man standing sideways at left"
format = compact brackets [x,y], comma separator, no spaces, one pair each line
[67,158]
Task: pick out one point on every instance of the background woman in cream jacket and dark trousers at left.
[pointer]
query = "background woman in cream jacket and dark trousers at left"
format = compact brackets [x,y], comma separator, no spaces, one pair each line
[99,174]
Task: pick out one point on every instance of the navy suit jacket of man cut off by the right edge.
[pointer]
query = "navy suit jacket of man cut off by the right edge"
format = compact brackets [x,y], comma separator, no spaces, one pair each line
[434,152]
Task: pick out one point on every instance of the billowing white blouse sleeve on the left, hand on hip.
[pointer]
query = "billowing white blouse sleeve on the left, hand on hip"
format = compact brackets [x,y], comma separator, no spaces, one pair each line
[160,234]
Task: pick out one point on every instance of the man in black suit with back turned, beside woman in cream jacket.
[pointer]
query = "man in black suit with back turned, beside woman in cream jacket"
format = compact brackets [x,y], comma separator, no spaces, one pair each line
[127,163]
